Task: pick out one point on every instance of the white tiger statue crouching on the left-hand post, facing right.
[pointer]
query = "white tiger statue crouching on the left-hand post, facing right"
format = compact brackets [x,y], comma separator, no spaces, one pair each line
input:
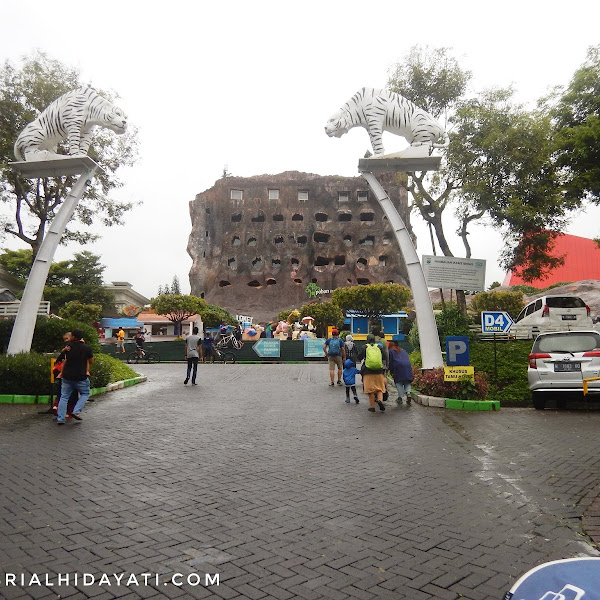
[72,117]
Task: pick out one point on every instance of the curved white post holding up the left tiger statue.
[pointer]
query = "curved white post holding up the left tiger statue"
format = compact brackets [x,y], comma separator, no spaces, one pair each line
[22,333]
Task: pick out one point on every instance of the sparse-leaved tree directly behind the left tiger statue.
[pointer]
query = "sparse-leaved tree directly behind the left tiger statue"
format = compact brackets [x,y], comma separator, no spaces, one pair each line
[33,204]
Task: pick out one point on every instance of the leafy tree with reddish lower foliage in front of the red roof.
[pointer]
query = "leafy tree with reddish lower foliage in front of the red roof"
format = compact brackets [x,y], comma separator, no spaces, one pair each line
[501,158]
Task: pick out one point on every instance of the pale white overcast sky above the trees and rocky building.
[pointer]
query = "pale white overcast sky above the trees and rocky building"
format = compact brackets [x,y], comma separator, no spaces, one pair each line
[251,85]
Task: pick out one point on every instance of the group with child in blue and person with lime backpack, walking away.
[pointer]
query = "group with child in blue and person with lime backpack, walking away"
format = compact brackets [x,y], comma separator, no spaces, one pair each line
[377,360]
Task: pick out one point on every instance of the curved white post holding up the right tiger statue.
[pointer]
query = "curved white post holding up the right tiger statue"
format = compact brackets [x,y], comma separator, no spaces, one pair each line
[431,353]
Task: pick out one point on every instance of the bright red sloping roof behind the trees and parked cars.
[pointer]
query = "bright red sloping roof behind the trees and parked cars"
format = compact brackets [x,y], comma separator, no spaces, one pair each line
[582,261]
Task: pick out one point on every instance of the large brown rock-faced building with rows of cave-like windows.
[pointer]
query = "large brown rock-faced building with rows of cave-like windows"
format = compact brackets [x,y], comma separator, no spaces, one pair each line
[257,242]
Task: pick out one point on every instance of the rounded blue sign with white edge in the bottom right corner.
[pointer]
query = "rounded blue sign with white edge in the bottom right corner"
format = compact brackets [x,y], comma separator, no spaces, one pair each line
[569,579]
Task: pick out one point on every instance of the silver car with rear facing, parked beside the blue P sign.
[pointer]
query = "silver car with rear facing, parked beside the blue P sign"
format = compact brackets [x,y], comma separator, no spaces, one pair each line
[558,364]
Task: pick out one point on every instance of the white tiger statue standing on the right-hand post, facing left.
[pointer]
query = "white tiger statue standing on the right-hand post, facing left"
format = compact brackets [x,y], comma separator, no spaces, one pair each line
[378,111]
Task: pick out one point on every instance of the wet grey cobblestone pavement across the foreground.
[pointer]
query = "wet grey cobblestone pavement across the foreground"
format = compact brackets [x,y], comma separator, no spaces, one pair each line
[263,475]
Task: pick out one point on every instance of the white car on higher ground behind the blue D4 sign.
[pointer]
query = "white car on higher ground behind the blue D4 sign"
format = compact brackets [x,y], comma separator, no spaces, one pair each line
[552,313]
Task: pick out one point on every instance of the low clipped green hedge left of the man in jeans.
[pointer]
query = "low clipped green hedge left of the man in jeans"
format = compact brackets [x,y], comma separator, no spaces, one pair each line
[25,374]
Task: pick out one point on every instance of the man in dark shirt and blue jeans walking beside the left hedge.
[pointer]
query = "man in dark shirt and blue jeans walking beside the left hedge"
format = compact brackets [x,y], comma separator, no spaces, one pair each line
[75,376]
